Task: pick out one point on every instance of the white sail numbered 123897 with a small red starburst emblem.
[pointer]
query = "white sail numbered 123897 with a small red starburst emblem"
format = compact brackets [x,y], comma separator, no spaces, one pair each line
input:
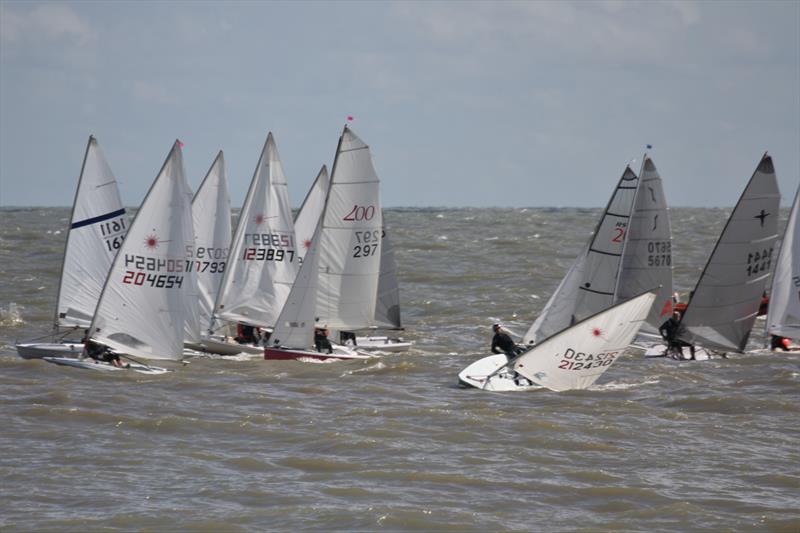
[263,261]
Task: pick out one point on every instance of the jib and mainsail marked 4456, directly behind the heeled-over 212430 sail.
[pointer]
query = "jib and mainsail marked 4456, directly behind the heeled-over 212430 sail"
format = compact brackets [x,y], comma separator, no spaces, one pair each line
[591,282]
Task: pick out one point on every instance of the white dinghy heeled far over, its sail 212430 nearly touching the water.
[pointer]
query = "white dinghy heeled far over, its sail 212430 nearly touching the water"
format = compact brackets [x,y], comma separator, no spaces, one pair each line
[571,359]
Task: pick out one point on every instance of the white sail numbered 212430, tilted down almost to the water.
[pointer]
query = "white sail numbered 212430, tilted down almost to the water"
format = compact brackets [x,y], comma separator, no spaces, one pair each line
[577,356]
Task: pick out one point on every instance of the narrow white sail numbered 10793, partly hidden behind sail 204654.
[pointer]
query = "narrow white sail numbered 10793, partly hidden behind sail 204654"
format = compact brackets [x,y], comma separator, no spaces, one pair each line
[211,213]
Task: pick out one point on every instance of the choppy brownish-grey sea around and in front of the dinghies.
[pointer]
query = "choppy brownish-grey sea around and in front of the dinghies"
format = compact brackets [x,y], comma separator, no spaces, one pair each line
[394,444]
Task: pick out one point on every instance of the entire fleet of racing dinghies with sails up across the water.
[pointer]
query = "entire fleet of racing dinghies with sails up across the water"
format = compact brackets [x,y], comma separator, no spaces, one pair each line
[176,278]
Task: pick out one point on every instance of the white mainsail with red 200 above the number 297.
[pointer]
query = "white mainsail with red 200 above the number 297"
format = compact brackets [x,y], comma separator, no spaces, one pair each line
[349,263]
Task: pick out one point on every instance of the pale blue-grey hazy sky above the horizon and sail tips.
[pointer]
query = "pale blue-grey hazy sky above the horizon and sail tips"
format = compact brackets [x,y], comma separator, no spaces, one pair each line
[484,104]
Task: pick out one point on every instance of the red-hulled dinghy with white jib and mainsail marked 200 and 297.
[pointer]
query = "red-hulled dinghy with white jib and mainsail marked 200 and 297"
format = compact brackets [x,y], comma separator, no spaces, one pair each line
[338,281]
